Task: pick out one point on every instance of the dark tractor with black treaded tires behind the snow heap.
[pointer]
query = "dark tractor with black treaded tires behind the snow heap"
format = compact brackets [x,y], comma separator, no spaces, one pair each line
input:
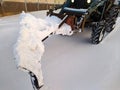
[99,14]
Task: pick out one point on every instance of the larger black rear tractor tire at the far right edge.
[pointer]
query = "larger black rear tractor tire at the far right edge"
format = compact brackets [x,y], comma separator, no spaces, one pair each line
[111,19]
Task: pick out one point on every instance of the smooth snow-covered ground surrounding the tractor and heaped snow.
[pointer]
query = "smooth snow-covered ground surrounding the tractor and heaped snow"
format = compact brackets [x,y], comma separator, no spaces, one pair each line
[69,62]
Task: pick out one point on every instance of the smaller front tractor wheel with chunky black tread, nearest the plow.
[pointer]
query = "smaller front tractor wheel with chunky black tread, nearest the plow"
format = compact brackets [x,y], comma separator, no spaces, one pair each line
[98,31]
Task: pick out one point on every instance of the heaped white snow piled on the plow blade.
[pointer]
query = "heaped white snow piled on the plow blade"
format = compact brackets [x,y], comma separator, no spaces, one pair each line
[29,47]
